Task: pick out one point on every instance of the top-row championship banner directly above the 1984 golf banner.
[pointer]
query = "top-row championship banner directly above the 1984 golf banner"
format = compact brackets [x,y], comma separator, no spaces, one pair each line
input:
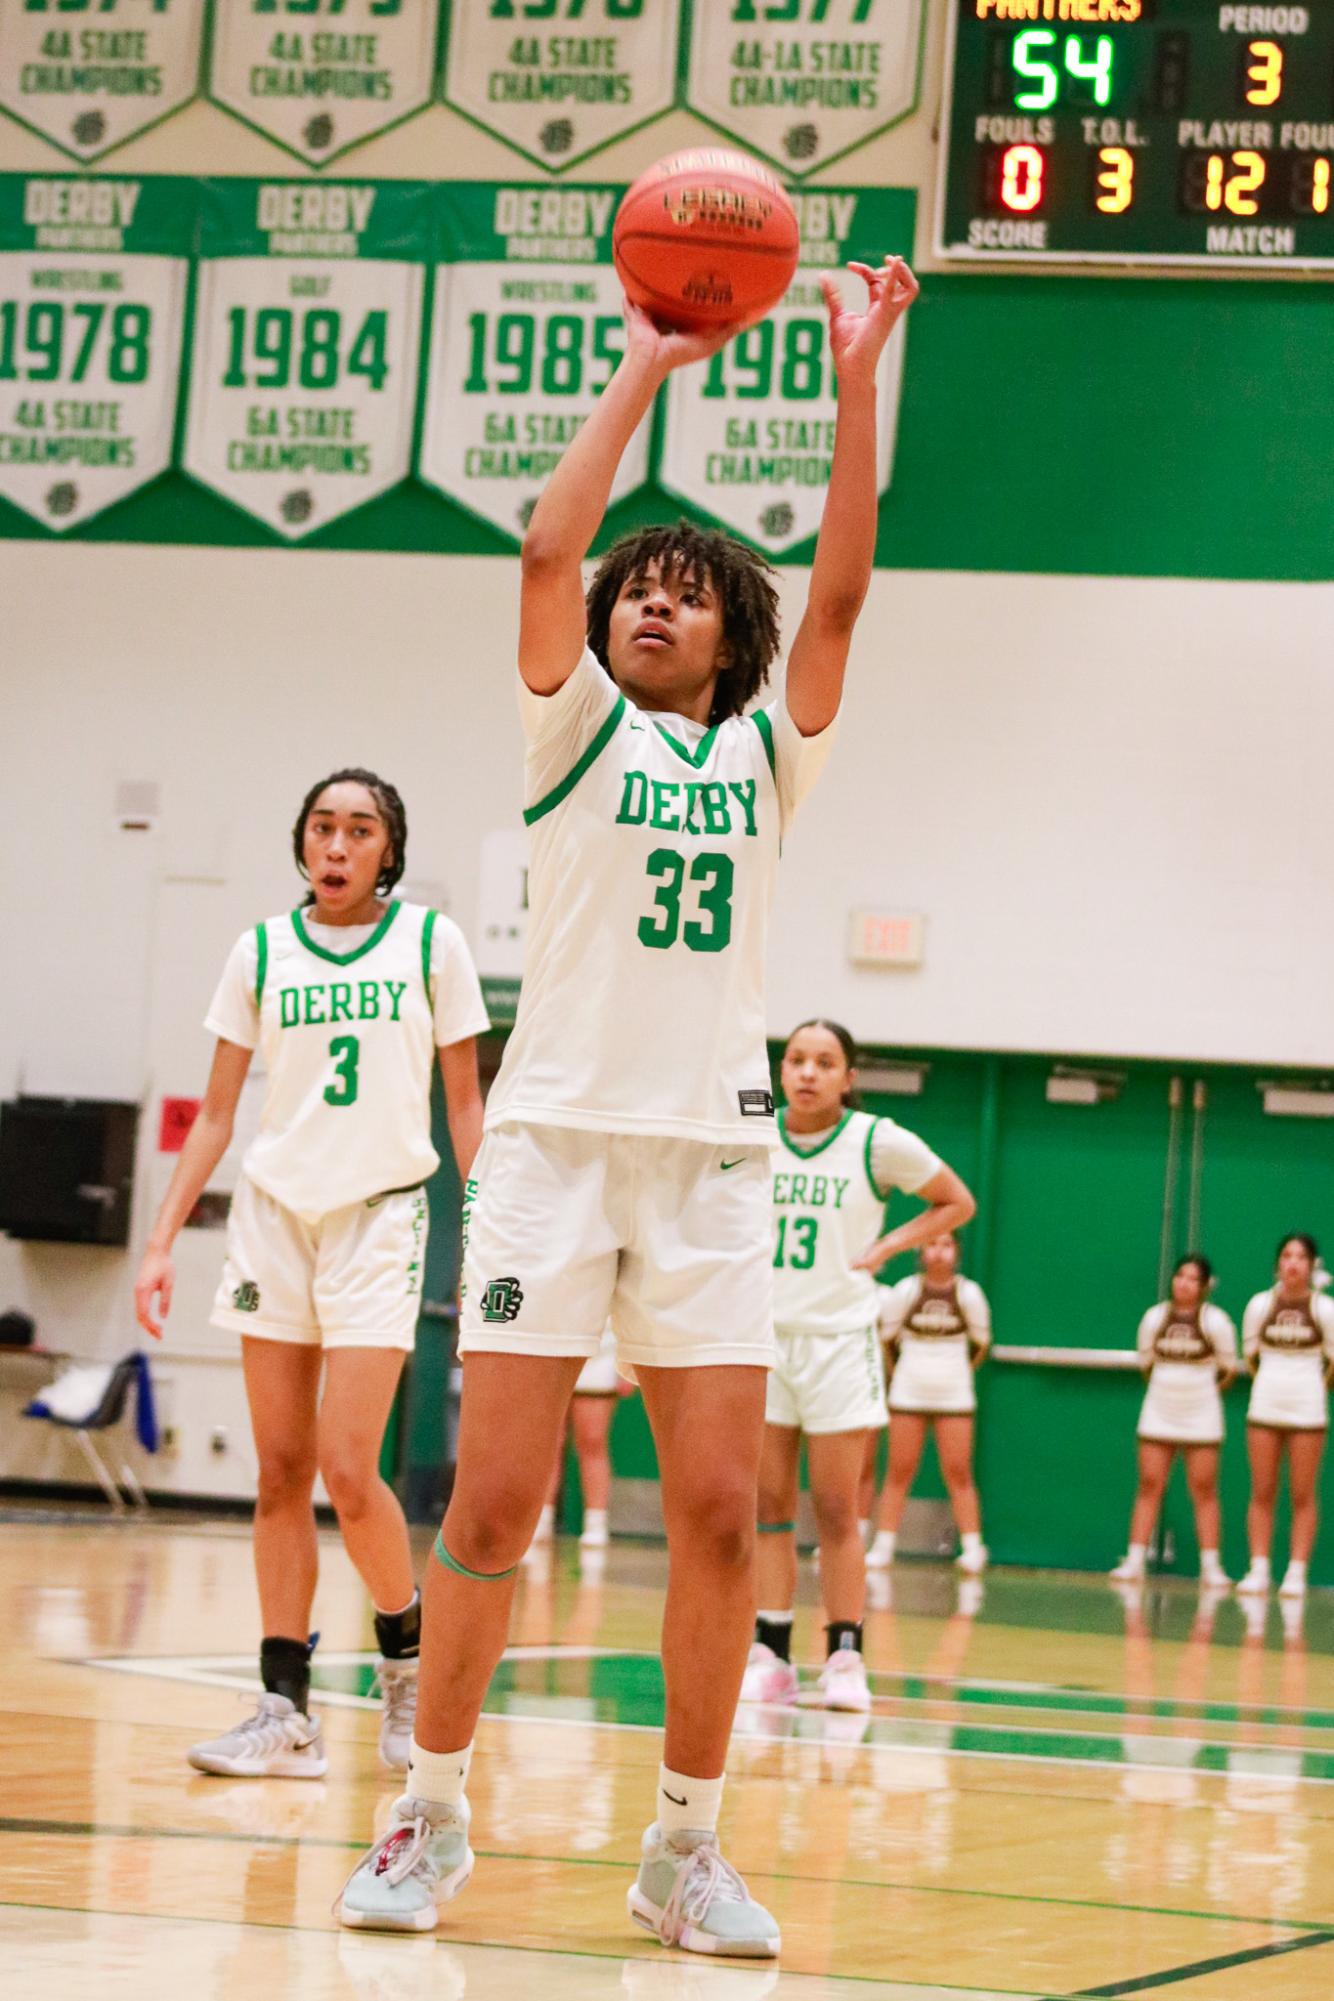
[323,75]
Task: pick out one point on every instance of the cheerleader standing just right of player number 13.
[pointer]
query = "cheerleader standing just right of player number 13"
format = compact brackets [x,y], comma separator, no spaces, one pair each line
[937,1332]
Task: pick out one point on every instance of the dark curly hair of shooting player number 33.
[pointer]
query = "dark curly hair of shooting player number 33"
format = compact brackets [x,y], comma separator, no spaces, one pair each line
[737,573]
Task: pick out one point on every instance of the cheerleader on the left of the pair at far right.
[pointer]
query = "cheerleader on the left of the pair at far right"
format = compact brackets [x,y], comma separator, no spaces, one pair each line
[1187,1352]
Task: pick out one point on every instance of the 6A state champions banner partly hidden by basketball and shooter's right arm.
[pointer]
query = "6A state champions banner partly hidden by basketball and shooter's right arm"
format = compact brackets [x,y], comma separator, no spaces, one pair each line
[749,439]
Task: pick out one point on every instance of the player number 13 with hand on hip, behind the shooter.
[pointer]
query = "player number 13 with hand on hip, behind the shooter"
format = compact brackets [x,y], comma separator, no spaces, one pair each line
[833,1176]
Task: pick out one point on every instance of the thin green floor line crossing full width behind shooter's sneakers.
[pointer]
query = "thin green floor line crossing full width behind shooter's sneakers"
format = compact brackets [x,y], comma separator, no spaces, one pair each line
[105,1830]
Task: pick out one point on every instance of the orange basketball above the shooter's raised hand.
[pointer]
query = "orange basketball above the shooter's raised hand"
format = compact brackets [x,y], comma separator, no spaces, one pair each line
[705,239]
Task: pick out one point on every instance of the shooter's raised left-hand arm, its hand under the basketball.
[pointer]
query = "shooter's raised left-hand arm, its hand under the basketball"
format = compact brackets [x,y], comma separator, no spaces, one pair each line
[569,513]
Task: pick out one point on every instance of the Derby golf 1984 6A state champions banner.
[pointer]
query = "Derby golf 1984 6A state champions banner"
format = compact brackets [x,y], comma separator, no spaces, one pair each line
[307,345]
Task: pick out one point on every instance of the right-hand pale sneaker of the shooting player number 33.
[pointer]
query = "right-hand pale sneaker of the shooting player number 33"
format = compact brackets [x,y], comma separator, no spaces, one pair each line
[689,1896]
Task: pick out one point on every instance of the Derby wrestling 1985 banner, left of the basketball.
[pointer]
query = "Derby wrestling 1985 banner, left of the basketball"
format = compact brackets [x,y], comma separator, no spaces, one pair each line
[525,337]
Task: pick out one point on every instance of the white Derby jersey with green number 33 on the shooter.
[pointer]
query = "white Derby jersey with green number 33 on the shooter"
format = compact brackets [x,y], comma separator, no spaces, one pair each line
[653,865]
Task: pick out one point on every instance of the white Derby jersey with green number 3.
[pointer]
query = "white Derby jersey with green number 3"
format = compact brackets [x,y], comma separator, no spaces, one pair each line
[349,1046]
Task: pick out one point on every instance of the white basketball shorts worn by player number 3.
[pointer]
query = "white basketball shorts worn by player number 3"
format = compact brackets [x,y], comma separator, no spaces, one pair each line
[349,1282]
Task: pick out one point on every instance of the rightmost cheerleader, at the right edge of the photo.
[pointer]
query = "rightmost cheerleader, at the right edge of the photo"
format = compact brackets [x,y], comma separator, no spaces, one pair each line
[1289,1348]
